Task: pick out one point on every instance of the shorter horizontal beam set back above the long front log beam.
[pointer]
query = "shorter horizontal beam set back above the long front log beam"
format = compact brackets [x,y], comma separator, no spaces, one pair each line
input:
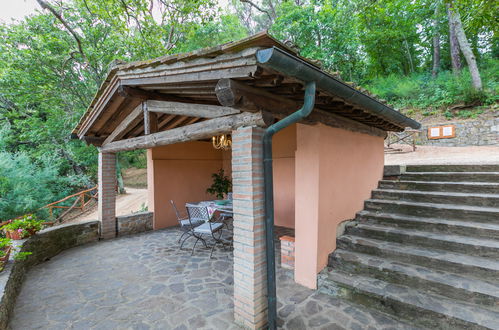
[189,109]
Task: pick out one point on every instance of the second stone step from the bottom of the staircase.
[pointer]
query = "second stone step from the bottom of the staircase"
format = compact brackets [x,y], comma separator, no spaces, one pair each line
[428,280]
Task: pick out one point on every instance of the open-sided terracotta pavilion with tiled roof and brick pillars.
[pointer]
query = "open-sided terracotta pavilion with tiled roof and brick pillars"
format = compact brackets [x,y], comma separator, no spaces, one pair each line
[325,165]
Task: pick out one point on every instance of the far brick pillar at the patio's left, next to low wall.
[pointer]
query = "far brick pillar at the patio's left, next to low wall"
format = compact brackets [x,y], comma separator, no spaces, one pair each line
[107,194]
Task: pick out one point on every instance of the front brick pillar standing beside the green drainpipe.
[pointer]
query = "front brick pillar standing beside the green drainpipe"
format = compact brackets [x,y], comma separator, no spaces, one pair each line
[250,289]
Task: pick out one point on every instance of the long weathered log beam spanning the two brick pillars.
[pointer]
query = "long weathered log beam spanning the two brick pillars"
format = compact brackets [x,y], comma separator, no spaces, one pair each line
[197,131]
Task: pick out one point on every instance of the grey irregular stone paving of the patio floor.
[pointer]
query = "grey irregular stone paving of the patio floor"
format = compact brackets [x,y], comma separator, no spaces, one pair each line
[146,282]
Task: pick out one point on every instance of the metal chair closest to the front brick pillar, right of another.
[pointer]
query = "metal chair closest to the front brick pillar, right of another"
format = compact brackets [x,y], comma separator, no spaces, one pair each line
[208,228]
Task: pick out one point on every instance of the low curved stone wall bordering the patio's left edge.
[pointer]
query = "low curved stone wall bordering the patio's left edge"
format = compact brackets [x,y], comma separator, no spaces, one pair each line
[44,245]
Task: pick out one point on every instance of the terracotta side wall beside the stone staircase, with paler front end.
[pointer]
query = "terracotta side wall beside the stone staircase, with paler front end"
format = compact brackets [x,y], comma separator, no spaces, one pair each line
[336,170]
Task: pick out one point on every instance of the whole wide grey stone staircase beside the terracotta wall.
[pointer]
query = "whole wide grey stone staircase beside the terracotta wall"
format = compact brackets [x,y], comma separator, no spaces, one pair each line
[425,249]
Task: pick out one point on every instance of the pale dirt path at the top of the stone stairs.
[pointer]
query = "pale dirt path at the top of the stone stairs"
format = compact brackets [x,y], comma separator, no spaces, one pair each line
[443,155]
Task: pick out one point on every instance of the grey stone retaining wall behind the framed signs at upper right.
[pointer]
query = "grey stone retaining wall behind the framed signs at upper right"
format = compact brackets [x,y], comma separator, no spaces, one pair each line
[478,132]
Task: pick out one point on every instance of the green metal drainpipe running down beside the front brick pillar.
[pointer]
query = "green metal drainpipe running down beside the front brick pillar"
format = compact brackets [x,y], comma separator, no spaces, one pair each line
[308,106]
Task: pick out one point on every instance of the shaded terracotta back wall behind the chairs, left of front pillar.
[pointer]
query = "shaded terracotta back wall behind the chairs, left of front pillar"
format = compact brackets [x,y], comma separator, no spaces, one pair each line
[181,172]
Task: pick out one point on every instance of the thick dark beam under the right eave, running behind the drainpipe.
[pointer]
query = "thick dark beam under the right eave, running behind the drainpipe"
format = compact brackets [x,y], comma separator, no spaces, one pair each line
[234,94]
